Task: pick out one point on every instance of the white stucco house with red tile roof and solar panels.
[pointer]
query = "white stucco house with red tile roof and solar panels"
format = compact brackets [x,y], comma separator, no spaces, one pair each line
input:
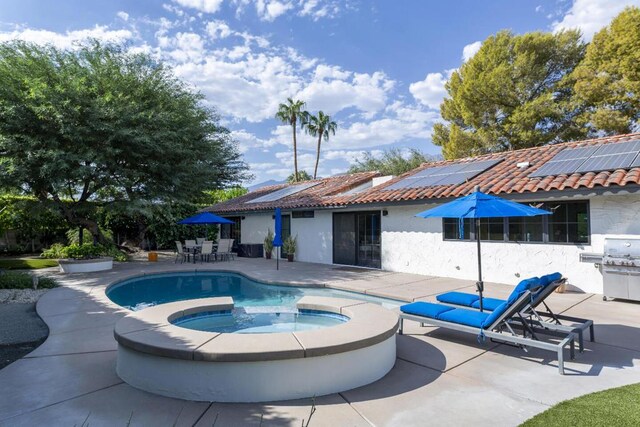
[592,187]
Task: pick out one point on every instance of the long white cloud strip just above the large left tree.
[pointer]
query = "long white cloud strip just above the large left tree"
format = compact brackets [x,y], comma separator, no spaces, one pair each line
[67,40]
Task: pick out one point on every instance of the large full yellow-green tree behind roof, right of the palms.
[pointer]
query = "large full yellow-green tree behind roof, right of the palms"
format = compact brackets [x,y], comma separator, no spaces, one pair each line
[512,94]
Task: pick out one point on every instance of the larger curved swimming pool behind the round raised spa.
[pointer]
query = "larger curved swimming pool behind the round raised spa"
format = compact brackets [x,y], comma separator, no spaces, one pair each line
[146,291]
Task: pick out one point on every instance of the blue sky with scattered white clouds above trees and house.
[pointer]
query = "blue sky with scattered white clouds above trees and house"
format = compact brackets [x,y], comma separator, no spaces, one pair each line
[377,67]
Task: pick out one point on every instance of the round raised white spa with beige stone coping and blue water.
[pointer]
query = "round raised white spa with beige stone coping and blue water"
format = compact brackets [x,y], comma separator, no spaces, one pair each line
[205,350]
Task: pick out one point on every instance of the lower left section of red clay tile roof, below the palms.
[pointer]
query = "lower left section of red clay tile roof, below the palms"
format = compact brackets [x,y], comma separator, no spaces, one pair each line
[319,194]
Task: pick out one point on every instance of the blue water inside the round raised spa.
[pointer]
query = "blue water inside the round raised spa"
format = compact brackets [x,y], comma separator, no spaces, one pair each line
[243,323]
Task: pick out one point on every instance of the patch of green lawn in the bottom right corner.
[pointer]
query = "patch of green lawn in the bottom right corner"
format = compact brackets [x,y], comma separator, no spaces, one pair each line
[613,407]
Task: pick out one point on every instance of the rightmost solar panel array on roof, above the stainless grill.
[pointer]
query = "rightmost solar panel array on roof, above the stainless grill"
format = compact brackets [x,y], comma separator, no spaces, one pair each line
[597,158]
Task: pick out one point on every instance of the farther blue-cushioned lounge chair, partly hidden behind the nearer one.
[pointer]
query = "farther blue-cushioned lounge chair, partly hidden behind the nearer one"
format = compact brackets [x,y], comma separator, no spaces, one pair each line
[542,319]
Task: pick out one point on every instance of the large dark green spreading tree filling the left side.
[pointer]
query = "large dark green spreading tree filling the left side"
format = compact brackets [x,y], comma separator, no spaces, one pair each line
[97,125]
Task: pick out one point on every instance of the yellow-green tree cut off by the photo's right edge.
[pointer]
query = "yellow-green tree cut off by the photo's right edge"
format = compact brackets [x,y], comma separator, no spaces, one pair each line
[607,81]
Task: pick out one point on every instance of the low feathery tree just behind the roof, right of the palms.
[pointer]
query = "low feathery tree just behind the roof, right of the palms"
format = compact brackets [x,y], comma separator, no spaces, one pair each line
[392,162]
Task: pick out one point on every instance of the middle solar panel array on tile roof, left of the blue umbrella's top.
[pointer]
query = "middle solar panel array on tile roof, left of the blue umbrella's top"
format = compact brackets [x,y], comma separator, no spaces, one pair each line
[444,175]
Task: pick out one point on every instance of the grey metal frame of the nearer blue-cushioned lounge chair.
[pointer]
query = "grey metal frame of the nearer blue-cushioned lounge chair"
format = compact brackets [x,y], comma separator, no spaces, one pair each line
[496,331]
